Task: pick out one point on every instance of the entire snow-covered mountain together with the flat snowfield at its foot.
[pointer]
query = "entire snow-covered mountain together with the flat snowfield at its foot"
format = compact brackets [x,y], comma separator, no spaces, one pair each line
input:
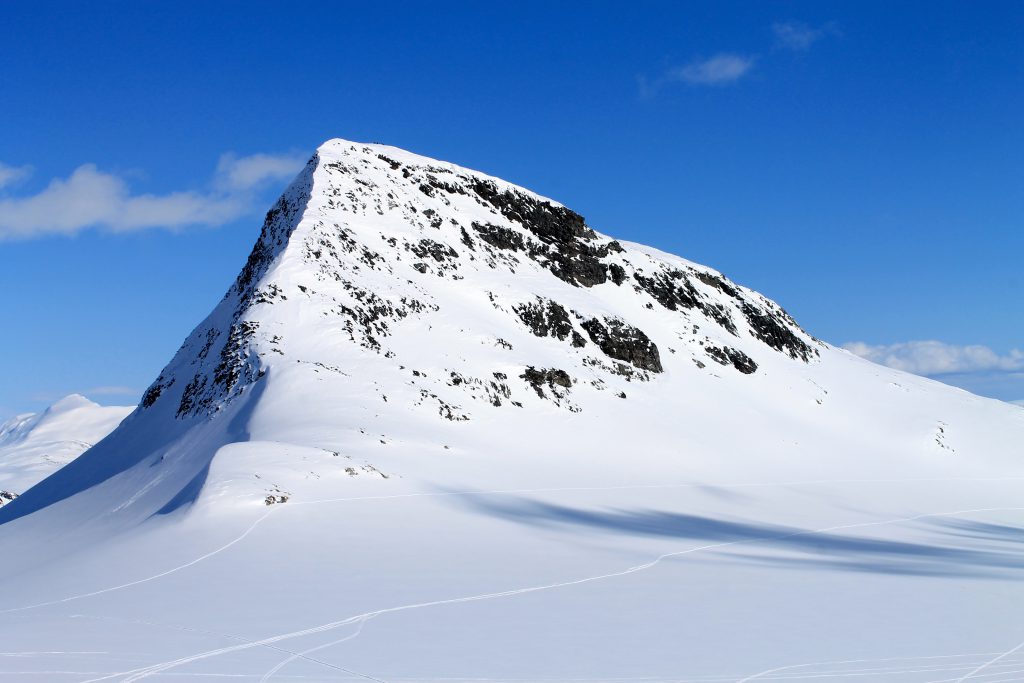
[440,429]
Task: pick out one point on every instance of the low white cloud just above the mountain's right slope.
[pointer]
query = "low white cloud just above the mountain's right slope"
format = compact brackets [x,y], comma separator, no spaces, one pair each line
[934,358]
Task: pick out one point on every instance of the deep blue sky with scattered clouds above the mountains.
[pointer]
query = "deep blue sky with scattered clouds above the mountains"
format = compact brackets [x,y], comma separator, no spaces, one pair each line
[861,163]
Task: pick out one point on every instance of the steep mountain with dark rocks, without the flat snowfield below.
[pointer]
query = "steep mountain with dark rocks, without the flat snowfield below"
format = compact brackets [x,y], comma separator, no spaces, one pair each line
[401,317]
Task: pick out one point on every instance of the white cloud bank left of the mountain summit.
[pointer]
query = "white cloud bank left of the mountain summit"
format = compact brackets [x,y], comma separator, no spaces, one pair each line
[92,198]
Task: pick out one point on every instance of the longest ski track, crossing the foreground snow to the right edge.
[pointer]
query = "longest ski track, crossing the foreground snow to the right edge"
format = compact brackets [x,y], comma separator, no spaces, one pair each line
[140,674]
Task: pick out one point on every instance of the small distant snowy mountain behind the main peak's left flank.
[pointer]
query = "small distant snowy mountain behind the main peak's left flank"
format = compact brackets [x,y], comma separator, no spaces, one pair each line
[34,446]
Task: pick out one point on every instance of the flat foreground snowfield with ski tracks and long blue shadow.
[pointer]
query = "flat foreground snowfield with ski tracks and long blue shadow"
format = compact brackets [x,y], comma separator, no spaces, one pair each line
[667,583]
